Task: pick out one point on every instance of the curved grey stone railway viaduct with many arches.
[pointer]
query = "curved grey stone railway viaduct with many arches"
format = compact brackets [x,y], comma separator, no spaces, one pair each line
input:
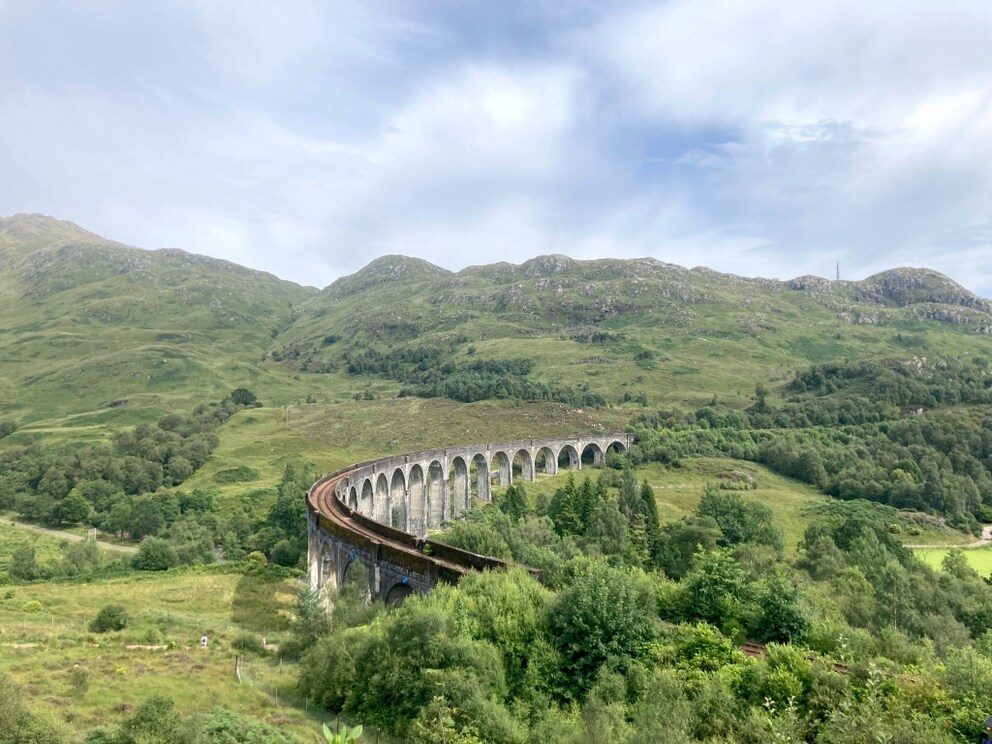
[379,512]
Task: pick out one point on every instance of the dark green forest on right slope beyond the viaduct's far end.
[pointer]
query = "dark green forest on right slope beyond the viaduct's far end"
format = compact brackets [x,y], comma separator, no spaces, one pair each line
[915,438]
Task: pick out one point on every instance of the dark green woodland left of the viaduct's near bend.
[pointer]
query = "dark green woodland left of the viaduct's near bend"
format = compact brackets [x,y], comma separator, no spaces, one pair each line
[132,489]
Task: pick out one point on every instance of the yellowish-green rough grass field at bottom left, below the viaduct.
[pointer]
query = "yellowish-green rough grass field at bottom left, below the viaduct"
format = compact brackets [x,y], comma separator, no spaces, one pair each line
[158,652]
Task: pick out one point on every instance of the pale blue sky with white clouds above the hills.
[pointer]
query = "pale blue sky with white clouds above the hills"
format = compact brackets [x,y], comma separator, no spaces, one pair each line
[757,137]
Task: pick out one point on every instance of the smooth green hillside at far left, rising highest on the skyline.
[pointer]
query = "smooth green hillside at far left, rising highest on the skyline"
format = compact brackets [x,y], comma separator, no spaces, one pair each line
[88,321]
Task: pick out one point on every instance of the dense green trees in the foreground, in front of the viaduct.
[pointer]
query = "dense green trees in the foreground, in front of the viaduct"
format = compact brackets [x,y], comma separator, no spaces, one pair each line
[635,632]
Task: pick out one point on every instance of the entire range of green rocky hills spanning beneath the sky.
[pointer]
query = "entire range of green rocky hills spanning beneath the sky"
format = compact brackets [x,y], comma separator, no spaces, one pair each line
[89,322]
